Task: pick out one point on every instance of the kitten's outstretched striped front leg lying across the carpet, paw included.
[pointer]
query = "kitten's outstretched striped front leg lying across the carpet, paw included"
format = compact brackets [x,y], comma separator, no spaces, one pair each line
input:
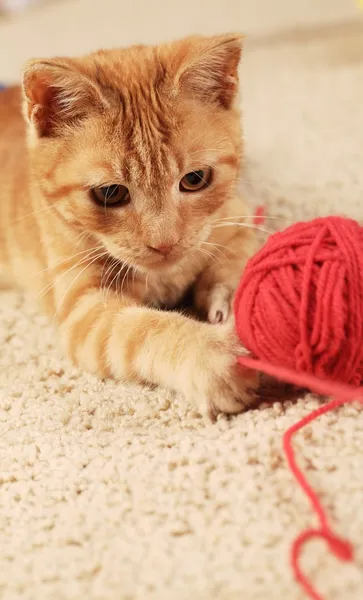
[131,342]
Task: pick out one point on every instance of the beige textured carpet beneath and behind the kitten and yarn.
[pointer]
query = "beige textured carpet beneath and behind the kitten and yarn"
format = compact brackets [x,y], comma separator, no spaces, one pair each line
[121,493]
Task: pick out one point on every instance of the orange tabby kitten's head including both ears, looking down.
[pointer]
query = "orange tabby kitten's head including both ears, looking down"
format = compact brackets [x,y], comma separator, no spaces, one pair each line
[139,147]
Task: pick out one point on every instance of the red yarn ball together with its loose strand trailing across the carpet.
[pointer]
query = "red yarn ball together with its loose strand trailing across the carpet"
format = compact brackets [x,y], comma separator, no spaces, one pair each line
[300,304]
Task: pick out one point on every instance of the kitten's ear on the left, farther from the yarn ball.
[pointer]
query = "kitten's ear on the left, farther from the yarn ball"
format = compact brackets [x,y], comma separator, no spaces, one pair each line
[56,94]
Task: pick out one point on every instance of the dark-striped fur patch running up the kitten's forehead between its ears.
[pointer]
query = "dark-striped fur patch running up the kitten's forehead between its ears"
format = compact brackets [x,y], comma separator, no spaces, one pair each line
[144,116]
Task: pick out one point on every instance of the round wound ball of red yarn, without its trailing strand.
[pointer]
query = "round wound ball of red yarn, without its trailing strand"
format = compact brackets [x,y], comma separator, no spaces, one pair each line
[300,300]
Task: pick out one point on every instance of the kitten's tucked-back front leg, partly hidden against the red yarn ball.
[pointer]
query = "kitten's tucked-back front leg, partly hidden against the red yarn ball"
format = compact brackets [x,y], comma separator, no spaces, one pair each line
[216,285]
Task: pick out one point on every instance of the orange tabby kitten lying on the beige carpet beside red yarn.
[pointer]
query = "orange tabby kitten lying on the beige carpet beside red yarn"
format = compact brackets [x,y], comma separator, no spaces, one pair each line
[119,198]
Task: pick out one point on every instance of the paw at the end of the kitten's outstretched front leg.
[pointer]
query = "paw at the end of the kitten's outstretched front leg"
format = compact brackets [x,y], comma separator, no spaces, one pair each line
[219,384]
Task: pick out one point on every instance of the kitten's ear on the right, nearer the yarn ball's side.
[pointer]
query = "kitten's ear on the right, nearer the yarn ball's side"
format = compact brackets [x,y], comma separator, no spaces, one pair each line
[208,67]
